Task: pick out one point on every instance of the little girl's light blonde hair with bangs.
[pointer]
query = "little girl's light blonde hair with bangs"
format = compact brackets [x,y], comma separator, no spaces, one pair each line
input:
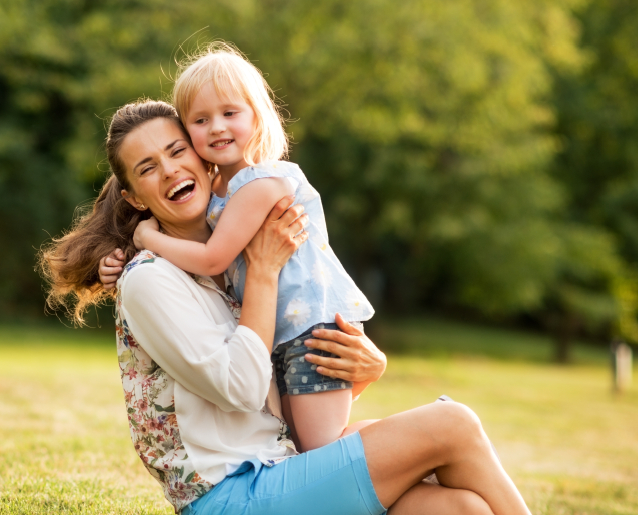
[233,76]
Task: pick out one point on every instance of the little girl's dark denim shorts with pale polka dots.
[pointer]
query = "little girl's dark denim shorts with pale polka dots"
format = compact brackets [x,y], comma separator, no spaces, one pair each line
[295,375]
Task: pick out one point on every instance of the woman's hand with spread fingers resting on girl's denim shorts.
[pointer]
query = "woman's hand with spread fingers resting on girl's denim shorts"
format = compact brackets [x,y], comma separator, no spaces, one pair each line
[360,361]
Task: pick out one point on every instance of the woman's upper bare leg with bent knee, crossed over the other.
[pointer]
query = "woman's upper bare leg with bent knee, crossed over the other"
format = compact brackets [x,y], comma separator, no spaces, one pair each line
[403,449]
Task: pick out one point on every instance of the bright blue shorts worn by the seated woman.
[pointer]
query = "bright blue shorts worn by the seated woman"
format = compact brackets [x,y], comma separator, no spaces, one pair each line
[331,480]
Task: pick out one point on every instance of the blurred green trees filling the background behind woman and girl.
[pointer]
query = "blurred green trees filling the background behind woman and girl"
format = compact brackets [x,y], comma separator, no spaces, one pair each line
[431,129]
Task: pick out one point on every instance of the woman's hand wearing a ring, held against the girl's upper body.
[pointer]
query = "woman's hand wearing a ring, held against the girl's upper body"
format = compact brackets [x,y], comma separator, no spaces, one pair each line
[278,238]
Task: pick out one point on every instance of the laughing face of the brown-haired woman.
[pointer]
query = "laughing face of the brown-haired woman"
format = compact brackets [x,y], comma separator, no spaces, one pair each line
[165,173]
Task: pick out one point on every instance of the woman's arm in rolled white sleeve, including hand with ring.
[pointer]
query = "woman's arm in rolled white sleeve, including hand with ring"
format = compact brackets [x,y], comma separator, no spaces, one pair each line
[167,320]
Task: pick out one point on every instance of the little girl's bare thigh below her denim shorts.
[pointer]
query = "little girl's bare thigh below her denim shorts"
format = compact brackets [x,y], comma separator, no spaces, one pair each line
[320,418]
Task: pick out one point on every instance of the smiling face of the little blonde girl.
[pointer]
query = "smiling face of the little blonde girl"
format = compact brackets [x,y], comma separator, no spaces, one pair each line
[220,128]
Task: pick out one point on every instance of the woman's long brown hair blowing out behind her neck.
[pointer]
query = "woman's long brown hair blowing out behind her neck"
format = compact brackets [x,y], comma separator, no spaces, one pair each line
[70,263]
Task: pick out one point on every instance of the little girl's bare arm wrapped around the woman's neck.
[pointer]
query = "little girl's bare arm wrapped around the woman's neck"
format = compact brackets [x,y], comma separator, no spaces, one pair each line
[241,219]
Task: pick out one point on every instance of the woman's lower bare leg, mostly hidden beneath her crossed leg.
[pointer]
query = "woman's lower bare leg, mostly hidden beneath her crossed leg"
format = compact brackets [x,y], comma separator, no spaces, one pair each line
[427,499]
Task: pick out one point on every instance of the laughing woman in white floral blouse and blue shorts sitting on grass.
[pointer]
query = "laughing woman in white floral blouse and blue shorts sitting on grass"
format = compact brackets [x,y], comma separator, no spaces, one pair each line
[197,383]
